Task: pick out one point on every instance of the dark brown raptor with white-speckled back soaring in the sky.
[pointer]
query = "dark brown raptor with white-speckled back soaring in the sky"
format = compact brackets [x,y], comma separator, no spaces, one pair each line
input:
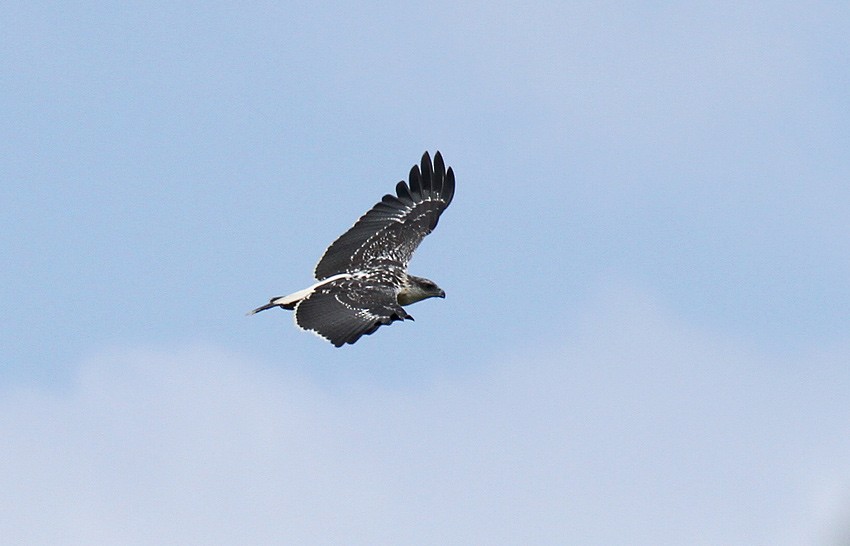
[362,277]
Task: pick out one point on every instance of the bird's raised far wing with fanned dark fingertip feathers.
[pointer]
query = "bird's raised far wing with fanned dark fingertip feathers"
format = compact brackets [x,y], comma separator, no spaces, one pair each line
[393,228]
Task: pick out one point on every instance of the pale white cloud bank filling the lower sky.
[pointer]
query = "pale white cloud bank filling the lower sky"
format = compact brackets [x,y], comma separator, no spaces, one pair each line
[633,429]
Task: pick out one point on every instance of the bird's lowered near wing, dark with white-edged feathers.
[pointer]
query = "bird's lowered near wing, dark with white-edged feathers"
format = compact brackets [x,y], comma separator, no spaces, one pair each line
[343,310]
